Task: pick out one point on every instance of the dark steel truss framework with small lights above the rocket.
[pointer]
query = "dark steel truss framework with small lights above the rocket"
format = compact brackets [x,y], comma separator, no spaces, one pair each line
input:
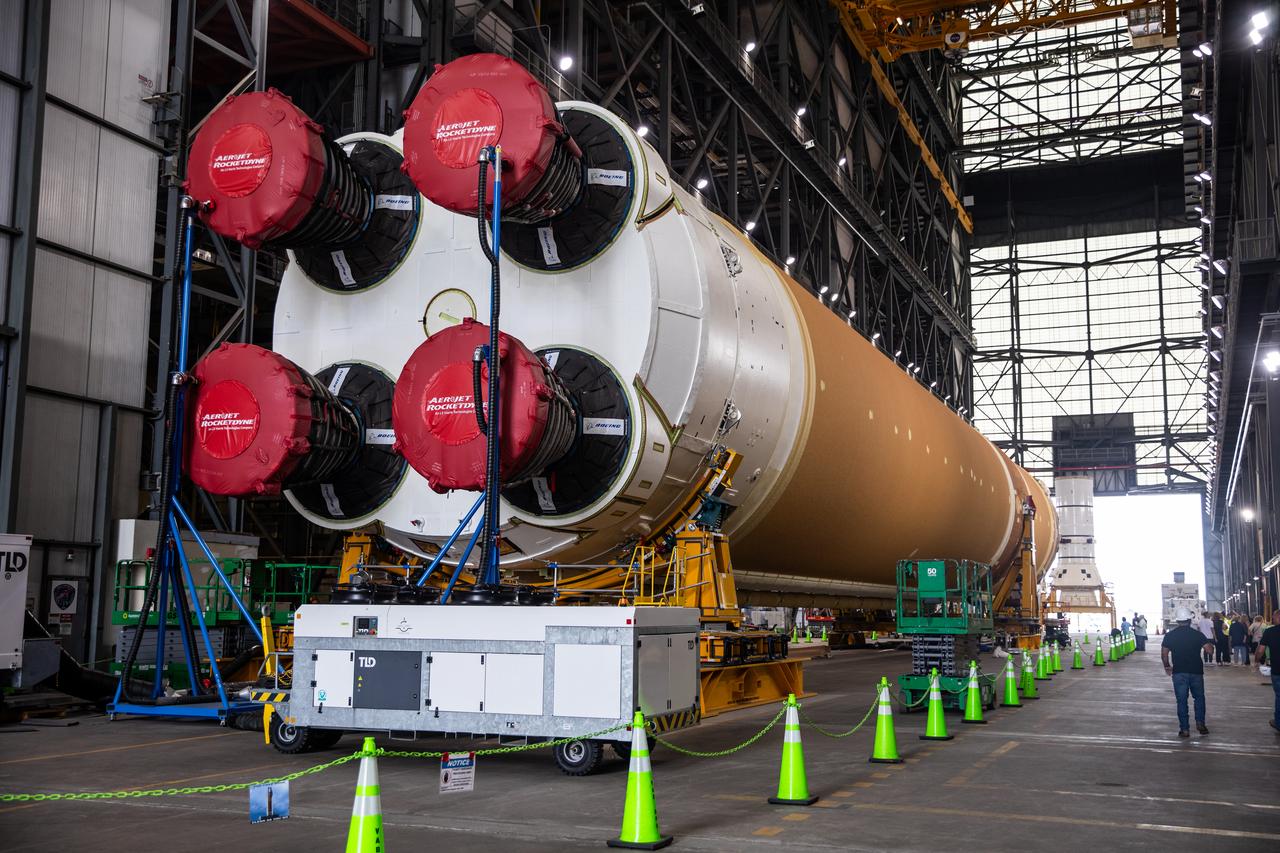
[838,193]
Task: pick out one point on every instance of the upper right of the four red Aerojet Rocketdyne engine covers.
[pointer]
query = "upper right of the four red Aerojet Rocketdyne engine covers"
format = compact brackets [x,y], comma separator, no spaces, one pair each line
[474,102]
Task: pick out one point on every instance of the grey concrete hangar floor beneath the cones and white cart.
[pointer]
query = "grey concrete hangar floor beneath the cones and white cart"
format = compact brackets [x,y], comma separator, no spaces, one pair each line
[1094,765]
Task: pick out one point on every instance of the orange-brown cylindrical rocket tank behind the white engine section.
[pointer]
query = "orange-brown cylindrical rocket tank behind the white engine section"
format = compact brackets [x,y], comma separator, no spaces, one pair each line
[885,472]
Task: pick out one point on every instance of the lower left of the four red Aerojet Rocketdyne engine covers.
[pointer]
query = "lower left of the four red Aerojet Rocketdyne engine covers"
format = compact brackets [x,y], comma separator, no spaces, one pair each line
[250,423]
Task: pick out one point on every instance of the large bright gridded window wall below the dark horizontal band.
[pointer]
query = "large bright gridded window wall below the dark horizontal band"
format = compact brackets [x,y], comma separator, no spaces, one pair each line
[1094,327]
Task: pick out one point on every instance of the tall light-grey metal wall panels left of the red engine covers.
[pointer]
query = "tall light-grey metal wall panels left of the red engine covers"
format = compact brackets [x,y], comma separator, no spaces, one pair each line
[89,325]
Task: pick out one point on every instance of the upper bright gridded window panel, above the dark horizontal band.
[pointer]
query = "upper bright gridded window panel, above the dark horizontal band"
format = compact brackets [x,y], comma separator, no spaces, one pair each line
[1067,97]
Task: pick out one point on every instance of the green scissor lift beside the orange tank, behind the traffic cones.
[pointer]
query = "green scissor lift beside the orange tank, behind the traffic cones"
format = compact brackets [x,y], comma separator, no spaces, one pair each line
[945,606]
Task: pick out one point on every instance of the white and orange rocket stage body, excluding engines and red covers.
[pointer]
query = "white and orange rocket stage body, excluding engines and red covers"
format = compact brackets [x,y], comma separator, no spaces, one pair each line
[849,464]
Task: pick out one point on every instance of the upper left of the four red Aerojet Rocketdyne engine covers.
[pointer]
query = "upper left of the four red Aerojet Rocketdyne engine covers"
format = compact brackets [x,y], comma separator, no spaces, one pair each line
[257,167]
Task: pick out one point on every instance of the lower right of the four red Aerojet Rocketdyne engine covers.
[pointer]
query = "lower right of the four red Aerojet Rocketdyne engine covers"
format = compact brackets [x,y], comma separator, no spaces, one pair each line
[435,408]
